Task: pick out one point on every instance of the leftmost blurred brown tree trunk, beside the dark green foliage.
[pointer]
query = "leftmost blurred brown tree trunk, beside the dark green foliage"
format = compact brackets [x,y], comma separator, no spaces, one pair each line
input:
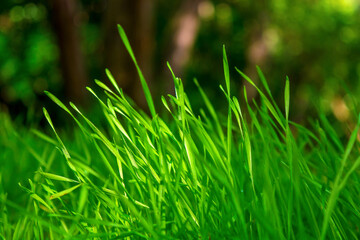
[66,23]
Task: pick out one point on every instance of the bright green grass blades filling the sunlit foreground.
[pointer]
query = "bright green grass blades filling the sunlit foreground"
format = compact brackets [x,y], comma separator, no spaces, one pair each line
[188,176]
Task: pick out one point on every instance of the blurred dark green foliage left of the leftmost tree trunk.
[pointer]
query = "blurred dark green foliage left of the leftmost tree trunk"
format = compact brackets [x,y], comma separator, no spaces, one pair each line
[28,62]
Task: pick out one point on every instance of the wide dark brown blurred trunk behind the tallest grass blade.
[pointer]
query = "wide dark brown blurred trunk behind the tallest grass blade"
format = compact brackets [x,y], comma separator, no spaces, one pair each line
[136,17]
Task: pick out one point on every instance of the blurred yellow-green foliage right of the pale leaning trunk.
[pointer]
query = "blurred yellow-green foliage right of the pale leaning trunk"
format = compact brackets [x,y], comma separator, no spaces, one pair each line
[315,43]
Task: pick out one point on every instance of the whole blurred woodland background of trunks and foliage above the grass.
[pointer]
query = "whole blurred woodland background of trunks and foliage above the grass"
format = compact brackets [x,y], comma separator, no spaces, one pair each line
[63,45]
